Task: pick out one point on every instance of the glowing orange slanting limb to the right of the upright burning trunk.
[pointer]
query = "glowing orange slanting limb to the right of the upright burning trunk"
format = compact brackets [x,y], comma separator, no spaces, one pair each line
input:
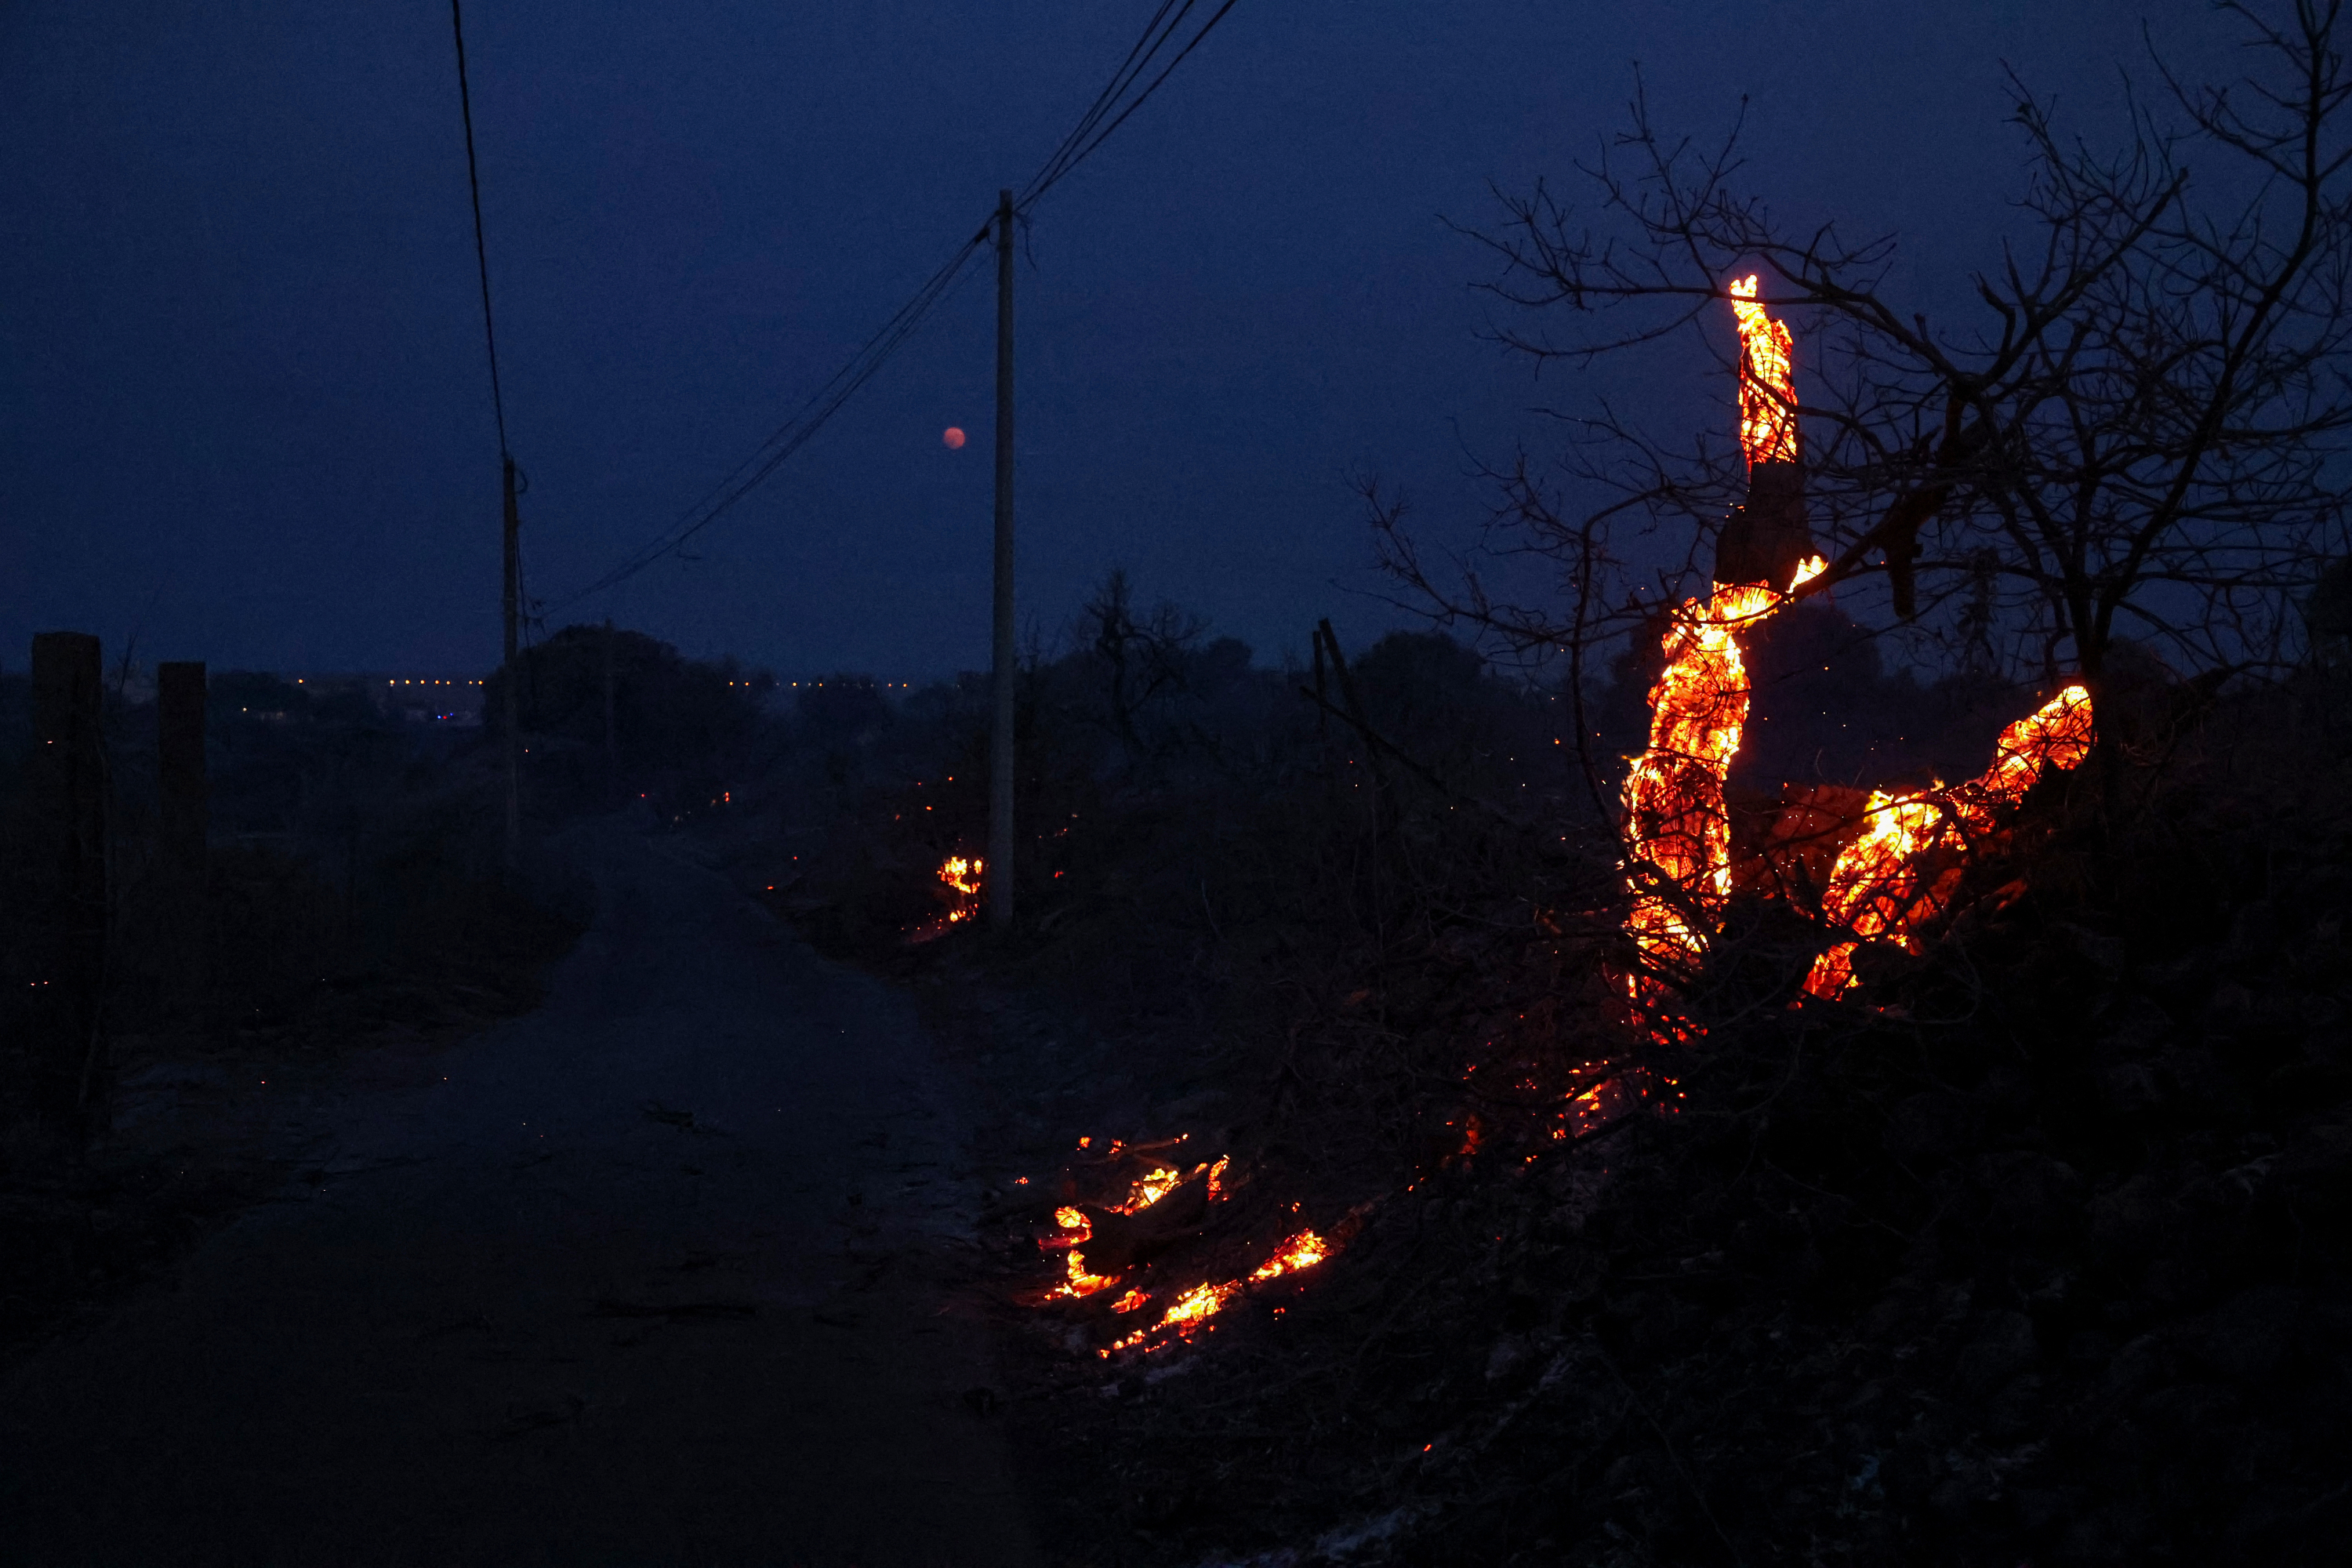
[1911,857]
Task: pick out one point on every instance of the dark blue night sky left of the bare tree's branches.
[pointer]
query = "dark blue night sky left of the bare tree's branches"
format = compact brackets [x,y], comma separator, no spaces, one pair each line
[243,401]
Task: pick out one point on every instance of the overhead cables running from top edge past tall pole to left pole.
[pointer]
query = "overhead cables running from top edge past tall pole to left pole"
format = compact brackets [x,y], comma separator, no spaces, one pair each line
[1104,116]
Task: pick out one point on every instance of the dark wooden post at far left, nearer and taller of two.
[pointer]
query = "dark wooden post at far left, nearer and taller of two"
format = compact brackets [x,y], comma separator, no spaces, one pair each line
[69,864]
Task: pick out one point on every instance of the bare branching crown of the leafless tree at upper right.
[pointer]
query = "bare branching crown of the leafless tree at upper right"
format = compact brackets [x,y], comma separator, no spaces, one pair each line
[2134,436]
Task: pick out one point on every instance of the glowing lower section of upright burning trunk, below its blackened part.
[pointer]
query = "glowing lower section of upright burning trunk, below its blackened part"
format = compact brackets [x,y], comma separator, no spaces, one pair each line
[1676,824]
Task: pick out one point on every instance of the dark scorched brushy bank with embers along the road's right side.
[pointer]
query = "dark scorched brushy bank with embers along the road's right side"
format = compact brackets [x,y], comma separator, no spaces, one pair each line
[1871,1287]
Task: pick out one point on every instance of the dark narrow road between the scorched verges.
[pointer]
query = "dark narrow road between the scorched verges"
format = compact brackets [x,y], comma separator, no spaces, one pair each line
[657,1275]
